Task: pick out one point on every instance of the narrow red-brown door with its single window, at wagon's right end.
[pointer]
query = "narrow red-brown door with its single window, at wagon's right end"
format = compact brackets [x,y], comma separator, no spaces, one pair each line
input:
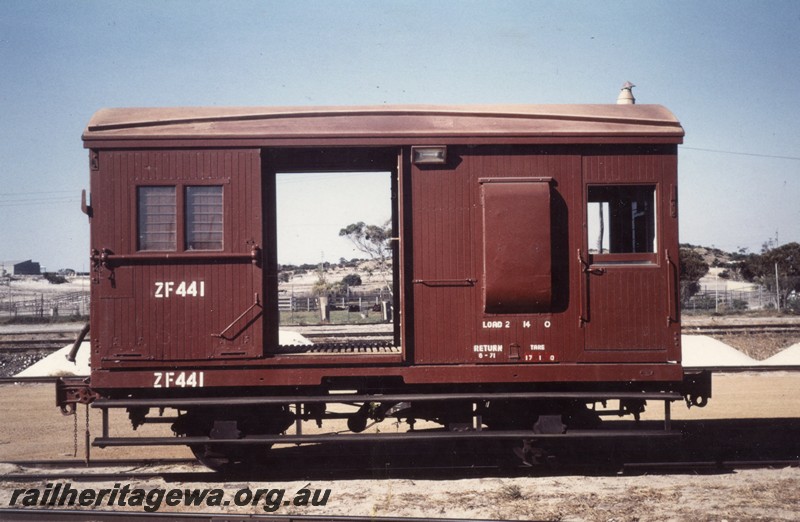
[627,261]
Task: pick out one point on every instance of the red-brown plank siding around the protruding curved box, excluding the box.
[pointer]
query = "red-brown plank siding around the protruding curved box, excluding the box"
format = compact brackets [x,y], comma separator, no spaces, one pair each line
[449,314]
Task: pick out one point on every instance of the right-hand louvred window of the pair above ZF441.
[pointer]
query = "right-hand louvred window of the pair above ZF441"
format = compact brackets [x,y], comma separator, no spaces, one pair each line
[204,215]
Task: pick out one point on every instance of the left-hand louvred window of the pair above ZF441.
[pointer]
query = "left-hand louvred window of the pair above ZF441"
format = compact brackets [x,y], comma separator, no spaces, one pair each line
[157,218]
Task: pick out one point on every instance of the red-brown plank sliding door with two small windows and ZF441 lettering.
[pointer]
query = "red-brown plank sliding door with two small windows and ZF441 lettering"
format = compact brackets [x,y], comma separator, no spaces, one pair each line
[180,300]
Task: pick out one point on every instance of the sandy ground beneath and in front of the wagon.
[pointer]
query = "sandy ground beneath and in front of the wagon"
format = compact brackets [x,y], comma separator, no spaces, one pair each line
[33,429]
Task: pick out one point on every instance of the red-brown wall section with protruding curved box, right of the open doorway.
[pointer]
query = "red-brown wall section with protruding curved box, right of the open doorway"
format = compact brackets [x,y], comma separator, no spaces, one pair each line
[451,234]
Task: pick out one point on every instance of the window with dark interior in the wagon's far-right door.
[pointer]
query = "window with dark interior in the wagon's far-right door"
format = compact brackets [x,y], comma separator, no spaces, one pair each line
[621,219]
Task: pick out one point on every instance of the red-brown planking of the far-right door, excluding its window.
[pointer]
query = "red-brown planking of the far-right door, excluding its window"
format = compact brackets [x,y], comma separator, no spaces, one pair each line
[628,304]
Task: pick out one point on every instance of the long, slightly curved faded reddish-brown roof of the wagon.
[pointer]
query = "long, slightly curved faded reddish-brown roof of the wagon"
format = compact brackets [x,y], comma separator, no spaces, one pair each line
[385,124]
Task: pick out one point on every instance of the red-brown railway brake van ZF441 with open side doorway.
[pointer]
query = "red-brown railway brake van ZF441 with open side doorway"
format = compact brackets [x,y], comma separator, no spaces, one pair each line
[534,253]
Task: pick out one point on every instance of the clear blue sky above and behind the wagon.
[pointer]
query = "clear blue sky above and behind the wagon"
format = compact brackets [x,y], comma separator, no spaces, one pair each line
[729,71]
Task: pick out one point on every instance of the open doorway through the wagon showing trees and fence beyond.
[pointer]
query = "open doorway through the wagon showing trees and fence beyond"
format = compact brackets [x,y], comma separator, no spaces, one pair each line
[335,259]
